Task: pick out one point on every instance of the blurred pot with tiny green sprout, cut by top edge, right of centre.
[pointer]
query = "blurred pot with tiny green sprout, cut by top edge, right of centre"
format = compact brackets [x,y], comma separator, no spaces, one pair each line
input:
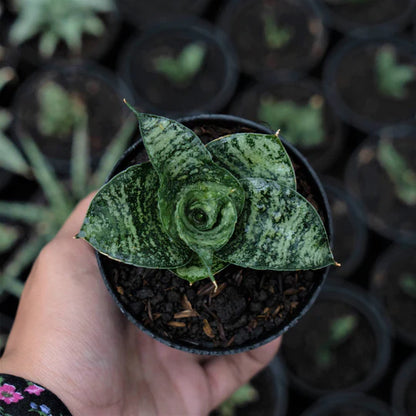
[274,36]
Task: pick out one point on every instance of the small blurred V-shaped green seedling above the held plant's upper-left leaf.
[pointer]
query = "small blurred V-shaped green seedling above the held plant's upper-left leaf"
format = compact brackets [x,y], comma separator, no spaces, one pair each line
[180,70]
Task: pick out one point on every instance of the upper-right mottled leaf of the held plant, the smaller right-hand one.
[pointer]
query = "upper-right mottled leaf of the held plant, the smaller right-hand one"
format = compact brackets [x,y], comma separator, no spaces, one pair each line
[252,155]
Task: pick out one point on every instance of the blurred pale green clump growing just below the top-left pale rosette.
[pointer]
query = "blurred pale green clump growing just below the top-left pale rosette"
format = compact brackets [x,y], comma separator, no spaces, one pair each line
[60,111]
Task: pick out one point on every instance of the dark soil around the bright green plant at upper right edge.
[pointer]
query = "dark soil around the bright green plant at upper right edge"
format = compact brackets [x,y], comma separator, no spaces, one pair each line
[357,86]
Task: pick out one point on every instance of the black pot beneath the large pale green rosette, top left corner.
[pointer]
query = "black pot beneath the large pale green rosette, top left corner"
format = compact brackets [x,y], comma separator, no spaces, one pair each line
[92,47]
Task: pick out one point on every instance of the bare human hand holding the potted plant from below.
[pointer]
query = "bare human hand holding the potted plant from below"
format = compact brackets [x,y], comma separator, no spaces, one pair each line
[70,336]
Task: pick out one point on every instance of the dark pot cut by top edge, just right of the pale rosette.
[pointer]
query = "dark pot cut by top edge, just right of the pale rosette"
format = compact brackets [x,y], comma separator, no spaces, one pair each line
[146,13]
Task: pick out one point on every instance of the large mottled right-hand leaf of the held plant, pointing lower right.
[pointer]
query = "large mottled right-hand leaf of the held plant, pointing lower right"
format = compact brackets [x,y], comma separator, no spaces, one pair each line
[278,230]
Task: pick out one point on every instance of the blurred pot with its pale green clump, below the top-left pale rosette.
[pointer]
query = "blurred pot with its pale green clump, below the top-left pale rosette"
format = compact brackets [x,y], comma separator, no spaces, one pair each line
[51,104]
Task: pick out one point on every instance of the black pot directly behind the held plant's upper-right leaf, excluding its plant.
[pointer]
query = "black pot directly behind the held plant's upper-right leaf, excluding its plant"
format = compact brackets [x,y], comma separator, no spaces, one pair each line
[301,92]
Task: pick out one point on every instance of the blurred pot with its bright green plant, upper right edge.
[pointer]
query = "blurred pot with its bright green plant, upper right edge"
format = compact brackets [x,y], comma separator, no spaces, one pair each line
[385,69]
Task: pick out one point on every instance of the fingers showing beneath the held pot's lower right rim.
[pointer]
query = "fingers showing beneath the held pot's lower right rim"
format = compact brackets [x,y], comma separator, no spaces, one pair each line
[225,374]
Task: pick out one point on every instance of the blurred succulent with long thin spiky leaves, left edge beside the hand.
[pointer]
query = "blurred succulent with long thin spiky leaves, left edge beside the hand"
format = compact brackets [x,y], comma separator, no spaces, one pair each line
[45,220]
